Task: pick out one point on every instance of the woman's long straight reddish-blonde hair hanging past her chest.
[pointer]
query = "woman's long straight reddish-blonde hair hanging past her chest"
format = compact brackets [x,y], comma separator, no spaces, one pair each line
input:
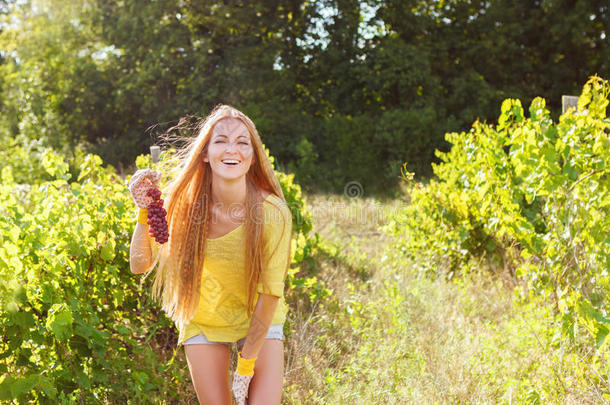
[187,201]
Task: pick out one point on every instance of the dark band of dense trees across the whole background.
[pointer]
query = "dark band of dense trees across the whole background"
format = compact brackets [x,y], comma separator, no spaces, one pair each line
[331,84]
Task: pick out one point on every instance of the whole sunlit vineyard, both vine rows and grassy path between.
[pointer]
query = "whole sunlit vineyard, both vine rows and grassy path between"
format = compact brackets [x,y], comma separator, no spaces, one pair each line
[489,283]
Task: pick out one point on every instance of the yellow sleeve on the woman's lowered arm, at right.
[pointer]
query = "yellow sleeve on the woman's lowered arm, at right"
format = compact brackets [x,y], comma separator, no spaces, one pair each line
[277,234]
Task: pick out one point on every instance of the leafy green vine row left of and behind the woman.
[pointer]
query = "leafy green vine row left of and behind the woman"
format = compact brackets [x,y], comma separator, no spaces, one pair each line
[76,324]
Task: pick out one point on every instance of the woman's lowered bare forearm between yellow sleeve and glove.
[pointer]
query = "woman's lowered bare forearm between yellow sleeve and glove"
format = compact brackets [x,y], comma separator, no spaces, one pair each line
[259,325]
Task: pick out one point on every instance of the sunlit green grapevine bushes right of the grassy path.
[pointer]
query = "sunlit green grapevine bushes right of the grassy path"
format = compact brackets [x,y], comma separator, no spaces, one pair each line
[531,196]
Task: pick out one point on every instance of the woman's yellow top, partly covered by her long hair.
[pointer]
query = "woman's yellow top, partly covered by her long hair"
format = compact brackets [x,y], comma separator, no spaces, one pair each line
[222,314]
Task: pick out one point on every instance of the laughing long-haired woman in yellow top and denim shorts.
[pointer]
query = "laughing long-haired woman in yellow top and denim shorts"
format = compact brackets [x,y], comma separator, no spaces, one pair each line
[228,248]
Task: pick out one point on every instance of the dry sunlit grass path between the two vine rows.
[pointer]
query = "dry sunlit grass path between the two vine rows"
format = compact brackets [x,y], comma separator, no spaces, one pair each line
[386,336]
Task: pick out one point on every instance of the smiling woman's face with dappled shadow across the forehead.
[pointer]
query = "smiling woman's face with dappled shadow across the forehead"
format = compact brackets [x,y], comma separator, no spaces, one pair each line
[230,149]
